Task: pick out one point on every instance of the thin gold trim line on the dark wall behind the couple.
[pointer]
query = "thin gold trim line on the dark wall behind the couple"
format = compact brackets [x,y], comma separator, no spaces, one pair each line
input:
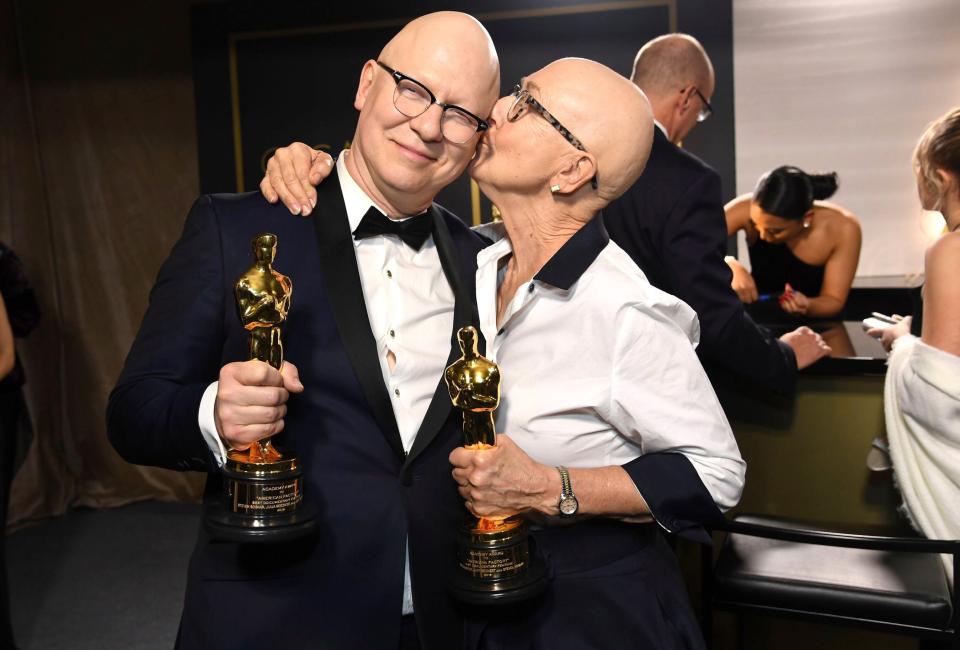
[232,40]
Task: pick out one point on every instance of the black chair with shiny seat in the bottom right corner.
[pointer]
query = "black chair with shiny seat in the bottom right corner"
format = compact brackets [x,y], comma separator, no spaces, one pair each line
[784,568]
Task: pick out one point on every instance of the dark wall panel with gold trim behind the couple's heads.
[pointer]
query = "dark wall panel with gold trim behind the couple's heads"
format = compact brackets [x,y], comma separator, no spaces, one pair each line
[296,71]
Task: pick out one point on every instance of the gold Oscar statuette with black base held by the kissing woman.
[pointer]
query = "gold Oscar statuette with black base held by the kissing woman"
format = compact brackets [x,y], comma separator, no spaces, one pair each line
[496,565]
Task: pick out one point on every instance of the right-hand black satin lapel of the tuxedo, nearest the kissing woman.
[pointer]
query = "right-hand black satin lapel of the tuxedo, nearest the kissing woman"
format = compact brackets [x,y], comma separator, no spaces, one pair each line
[463,314]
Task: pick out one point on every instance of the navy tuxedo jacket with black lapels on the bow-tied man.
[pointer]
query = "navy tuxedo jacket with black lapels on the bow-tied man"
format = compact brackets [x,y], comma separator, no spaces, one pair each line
[344,588]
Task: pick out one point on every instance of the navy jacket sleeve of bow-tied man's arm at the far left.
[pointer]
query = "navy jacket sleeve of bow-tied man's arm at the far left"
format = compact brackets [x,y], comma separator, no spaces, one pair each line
[152,413]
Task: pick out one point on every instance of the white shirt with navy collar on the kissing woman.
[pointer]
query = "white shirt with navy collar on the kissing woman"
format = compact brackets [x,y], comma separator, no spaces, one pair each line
[598,366]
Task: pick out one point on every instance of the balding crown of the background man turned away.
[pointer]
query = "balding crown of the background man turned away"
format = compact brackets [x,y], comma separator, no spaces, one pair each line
[669,62]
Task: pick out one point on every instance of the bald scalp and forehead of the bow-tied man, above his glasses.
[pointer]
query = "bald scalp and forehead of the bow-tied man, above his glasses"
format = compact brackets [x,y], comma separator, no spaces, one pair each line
[449,40]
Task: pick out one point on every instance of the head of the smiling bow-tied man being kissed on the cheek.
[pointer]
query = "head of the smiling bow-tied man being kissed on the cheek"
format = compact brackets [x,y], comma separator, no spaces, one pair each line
[400,160]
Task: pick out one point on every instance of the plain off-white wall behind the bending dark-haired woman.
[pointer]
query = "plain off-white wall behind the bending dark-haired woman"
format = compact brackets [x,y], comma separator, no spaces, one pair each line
[848,86]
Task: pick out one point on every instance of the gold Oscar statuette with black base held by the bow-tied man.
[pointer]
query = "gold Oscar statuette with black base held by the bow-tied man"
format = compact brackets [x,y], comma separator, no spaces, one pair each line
[262,488]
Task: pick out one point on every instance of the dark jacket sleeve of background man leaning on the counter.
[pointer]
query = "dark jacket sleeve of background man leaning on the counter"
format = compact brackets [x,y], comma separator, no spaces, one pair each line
[694,242]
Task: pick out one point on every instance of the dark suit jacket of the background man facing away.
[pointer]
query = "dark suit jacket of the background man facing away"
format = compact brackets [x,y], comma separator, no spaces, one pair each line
[671,223]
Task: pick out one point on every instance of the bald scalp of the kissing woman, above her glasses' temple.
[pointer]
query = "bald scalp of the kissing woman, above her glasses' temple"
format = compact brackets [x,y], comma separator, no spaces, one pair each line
[608,113]
